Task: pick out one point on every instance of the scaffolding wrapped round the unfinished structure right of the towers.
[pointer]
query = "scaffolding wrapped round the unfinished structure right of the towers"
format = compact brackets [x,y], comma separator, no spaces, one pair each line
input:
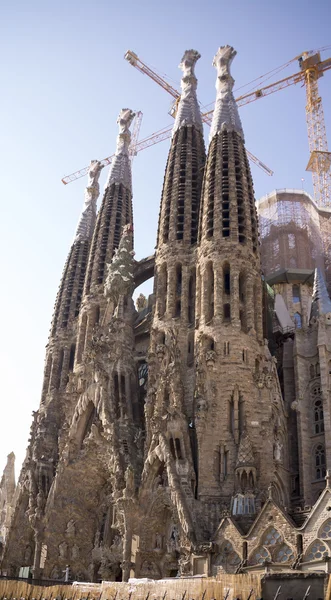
[294,232]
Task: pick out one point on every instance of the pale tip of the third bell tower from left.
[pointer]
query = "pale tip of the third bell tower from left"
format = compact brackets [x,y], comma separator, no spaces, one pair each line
[188,112]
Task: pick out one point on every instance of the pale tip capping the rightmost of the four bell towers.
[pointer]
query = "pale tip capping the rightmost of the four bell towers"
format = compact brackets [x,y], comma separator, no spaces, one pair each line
[226,115]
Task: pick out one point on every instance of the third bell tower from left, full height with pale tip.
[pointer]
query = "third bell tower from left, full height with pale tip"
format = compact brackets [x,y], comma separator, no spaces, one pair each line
[169,463]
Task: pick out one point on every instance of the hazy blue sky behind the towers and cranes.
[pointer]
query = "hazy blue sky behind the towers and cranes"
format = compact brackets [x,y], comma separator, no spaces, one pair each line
[64,81]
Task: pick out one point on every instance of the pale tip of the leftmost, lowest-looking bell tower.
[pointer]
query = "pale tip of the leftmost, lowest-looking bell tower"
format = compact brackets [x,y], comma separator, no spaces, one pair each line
[87,219]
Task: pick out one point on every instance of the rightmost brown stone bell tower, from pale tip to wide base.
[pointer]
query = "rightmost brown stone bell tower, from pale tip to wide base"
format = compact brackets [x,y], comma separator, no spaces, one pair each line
[239,418]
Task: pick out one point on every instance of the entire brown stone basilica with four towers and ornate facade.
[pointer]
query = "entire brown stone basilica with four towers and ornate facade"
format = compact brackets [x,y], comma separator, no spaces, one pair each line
[192,434]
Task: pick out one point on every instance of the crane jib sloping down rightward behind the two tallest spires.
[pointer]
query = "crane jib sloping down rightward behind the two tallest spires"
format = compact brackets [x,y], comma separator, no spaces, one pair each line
[134,60]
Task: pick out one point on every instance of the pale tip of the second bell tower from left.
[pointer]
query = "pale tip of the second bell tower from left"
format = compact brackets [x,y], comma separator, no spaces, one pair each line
[120,169]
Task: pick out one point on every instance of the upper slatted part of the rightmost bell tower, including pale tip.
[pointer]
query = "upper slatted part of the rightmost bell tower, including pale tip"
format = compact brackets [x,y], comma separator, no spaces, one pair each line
[227,202]
